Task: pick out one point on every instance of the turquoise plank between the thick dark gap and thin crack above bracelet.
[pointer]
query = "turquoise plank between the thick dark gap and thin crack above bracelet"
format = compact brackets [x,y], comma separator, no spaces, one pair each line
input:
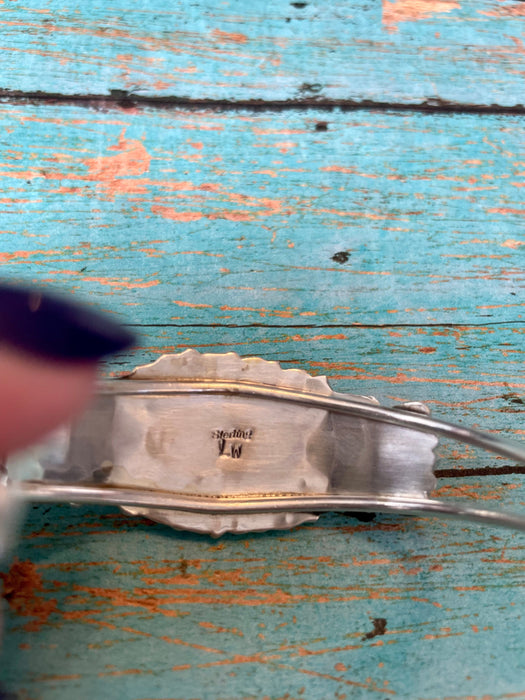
[204,217]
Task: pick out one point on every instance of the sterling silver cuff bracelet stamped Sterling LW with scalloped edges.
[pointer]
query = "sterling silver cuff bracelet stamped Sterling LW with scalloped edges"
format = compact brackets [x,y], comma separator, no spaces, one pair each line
[220,443]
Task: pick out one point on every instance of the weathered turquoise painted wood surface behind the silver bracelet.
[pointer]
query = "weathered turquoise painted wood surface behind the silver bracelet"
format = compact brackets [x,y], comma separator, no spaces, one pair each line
[382,248]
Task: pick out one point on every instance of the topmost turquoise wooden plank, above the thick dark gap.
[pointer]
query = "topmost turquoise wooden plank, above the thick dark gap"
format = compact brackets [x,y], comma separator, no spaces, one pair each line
[402,51]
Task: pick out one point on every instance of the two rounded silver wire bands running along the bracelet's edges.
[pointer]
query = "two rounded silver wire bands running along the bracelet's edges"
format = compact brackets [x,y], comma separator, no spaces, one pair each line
[287,502]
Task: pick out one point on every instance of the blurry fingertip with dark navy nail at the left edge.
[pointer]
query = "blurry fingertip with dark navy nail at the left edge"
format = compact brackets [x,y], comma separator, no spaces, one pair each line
[49,350]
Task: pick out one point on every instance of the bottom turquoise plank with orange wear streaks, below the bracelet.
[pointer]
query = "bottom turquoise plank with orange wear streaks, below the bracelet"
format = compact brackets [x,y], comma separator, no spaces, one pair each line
[117,607]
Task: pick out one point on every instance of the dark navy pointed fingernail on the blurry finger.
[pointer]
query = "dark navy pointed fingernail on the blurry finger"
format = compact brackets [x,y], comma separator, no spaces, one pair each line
[55,328]
